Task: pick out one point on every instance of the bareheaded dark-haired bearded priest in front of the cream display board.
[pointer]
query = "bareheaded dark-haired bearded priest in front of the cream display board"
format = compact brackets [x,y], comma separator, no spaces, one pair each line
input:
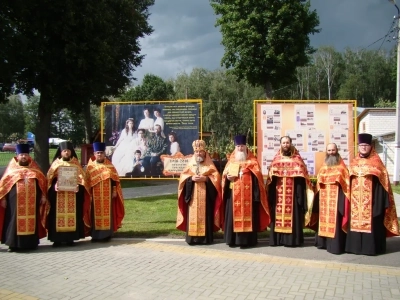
[290,196]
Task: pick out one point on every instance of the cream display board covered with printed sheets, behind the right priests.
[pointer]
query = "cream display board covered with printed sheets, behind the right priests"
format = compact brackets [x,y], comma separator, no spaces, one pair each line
[311,127]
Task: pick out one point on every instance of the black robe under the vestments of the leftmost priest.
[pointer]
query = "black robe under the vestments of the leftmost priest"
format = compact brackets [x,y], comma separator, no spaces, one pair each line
[9,234]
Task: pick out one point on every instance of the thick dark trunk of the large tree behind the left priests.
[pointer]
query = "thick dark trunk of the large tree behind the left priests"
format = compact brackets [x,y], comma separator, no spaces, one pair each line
[43,132]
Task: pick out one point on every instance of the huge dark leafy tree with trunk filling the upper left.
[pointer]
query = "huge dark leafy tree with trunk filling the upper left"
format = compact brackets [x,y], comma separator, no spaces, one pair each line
[73,52]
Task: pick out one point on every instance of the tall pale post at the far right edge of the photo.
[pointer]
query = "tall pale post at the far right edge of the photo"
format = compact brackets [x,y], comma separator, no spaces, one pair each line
[397,137]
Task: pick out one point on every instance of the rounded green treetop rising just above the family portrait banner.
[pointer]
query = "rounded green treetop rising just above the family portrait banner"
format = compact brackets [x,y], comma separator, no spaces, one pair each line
[152,88]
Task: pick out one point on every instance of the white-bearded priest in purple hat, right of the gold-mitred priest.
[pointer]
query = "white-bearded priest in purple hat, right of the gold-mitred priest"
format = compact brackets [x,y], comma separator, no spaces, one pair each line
[244,197]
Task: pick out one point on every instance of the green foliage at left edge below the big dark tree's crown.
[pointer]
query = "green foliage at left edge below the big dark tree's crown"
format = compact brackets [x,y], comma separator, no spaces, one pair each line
[12,115]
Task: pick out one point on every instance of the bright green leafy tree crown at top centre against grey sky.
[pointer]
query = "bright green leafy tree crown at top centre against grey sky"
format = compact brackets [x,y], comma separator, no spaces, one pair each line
[265,40]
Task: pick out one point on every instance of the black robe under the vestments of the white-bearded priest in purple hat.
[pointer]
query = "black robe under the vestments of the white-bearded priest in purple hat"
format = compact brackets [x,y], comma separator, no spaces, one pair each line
[242,239]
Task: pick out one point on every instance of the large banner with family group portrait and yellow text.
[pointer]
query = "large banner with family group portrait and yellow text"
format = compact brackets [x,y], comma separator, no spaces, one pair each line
[150,139]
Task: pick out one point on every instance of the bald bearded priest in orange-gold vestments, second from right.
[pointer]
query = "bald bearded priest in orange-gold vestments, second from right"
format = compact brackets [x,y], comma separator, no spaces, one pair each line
[332,192]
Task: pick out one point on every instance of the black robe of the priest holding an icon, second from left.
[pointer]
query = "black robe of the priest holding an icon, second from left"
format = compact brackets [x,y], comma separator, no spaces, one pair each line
[60,237]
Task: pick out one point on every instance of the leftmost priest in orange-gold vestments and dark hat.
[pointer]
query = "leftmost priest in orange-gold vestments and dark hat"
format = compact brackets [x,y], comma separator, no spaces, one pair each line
[23,202]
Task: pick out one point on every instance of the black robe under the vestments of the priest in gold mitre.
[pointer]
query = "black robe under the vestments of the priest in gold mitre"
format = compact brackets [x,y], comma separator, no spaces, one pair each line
[211,194]
